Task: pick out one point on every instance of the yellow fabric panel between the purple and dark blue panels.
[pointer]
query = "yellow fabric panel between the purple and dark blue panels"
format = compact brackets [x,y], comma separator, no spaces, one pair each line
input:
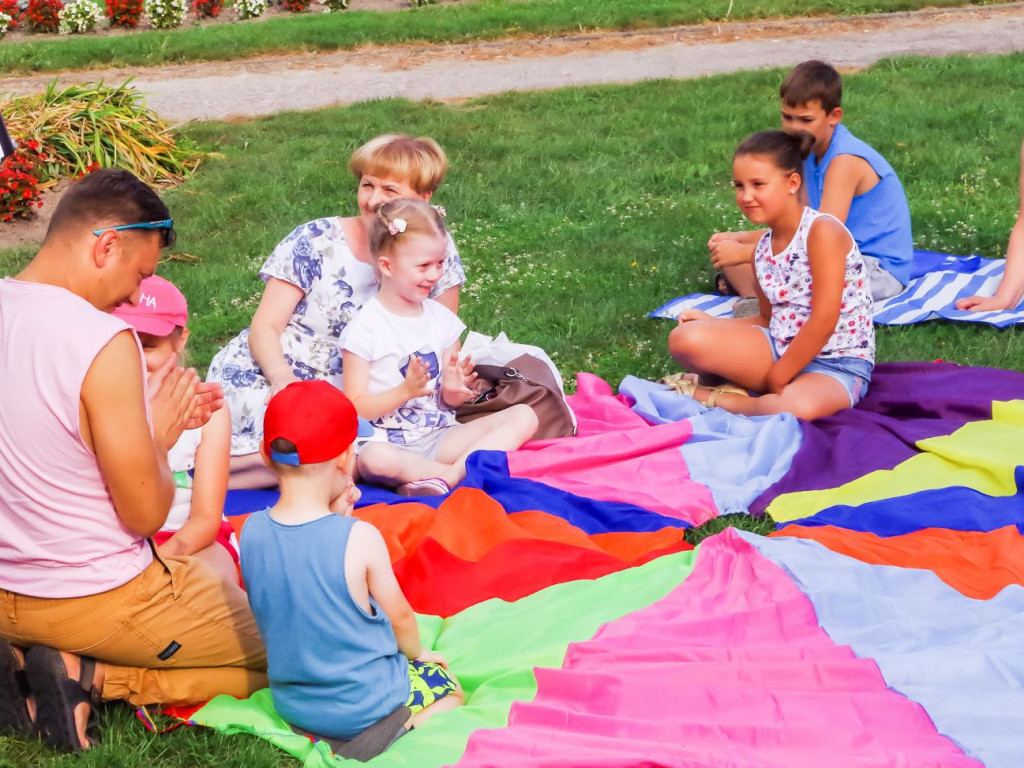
[982,455]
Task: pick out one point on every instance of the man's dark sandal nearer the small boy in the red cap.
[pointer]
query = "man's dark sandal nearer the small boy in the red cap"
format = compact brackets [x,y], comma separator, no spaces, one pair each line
[58,696]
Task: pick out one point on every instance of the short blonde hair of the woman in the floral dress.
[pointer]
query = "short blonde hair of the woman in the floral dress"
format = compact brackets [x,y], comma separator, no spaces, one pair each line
[419,161]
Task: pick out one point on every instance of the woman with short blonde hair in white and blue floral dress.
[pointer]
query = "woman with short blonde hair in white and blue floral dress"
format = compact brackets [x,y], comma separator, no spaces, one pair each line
[317,280]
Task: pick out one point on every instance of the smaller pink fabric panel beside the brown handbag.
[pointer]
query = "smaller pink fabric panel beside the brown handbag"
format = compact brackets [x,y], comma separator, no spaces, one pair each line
[618,457]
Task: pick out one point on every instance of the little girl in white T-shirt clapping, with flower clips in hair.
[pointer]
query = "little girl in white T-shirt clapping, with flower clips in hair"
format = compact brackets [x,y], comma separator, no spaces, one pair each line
[402,368]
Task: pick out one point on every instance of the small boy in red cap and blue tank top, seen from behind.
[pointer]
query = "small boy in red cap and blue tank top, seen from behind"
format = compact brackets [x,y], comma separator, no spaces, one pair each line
[344,648]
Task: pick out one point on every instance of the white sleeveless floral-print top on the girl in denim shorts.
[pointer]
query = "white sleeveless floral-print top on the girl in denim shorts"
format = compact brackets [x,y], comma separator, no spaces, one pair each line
[786,280]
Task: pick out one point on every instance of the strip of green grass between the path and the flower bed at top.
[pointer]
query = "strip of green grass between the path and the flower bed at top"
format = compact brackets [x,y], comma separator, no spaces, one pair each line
[484,21]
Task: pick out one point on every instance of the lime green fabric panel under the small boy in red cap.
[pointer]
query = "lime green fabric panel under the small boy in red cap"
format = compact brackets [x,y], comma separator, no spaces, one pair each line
[493,649]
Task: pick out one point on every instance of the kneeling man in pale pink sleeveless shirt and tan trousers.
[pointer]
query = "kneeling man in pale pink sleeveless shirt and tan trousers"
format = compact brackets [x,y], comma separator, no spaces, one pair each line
[89,612]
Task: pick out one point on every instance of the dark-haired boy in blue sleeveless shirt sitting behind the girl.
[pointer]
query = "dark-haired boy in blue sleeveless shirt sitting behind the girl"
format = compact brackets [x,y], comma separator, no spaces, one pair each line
[845,178]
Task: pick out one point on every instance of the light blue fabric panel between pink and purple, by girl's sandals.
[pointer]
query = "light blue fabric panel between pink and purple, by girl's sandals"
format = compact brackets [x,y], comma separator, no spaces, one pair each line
[737,457]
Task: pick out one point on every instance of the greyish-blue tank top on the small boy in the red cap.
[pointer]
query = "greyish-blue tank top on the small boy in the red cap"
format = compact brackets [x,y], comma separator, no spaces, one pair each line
[334,669]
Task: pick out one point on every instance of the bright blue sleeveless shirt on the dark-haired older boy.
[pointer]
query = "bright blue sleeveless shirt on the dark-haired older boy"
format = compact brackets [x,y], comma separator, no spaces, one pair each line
[879,220]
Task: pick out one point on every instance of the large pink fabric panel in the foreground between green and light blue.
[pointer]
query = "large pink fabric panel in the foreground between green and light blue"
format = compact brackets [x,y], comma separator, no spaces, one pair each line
[731,669]
